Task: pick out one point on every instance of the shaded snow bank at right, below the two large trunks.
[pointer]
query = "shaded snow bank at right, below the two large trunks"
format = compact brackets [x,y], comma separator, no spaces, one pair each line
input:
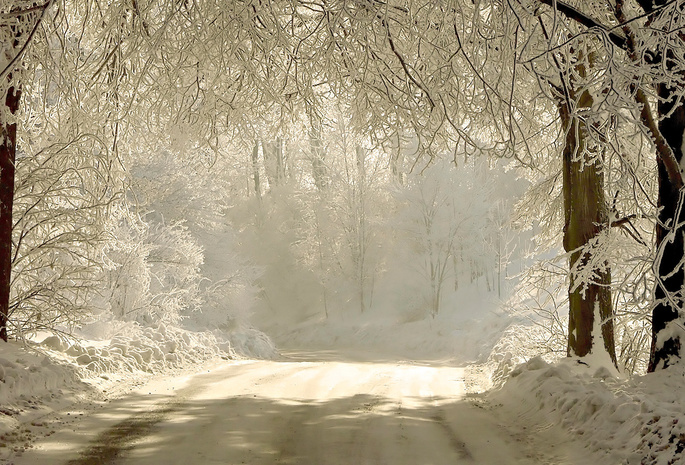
[636,421]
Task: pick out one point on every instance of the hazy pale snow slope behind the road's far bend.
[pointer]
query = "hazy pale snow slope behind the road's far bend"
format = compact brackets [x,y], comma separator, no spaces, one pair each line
[465,331]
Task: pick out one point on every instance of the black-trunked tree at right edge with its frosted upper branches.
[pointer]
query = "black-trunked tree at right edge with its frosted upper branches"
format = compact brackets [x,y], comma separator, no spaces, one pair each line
[642,73]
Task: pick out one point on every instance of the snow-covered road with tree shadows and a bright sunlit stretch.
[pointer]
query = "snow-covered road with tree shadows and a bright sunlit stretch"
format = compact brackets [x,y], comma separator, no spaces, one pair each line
[304,409]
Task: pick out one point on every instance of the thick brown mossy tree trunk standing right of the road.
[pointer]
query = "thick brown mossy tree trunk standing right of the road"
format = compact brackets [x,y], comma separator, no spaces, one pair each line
[585,217]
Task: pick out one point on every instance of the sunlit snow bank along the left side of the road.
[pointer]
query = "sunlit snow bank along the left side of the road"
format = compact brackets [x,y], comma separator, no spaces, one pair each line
[39,378]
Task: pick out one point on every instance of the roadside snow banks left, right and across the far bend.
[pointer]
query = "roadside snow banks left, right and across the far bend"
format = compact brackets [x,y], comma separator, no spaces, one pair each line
[618,420]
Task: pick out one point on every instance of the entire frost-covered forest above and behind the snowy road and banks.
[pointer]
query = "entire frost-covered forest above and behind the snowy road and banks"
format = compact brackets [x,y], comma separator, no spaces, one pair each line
[244,168]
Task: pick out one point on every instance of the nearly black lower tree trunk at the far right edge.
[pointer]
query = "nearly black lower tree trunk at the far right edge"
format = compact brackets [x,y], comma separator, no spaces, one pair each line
[669,289]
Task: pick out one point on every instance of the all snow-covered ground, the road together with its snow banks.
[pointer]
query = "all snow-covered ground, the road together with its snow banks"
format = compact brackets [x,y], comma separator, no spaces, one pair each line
[367,379]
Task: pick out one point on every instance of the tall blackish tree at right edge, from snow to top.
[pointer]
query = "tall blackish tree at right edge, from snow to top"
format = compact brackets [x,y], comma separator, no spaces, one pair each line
[663,52]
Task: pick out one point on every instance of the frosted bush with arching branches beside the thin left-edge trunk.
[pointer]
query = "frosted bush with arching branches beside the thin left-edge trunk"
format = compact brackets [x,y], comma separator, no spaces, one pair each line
[62,225]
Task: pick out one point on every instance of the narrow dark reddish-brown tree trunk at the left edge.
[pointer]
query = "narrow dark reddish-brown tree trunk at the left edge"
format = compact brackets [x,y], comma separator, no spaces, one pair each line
[8,141]
